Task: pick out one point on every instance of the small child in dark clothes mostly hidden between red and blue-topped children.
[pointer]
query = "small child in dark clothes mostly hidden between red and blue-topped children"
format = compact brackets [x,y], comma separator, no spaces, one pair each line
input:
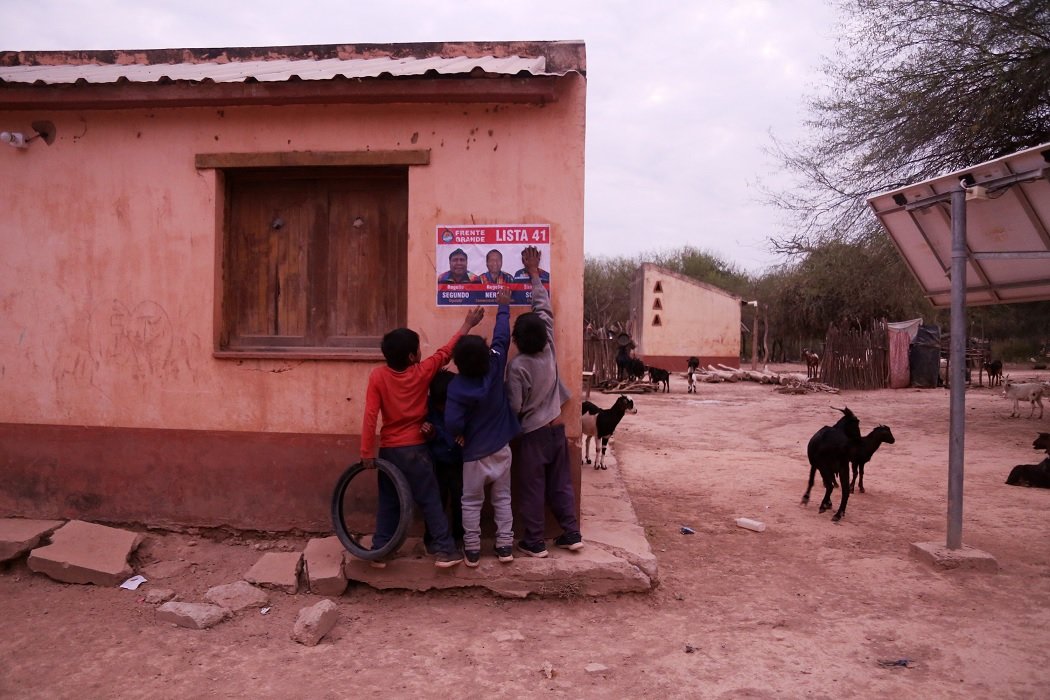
[448,457]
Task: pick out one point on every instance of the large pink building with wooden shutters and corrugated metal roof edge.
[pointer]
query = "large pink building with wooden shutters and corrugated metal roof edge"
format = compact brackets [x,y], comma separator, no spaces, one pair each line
[203,249]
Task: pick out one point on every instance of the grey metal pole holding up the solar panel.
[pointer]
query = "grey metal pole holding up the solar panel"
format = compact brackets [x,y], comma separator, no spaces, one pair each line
[958,364]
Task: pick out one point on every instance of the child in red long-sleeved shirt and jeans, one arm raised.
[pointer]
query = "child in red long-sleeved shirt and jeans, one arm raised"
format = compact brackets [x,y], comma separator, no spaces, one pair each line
[398,393]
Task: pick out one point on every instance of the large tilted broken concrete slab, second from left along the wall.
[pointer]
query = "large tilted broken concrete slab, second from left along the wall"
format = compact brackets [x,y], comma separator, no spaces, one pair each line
[87,554]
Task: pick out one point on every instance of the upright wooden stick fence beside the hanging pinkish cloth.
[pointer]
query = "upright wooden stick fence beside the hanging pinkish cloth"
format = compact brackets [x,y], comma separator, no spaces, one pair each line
[857,359]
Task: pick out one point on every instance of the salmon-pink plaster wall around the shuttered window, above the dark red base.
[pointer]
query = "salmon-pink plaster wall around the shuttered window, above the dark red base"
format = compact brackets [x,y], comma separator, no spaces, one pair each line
[109,242]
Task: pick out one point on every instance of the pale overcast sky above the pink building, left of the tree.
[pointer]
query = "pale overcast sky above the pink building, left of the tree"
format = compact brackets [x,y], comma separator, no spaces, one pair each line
[682,95]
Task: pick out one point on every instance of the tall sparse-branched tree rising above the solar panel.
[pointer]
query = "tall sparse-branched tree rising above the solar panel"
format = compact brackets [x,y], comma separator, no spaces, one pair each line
[917,89]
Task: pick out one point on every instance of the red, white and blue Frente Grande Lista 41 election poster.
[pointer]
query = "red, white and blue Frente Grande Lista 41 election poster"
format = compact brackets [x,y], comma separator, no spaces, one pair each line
[475,262]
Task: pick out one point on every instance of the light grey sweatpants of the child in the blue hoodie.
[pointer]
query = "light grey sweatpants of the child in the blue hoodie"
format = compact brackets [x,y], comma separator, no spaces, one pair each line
[494,470]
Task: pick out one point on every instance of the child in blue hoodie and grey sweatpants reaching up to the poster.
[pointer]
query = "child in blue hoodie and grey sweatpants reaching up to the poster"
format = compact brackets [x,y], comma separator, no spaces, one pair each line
[477,412]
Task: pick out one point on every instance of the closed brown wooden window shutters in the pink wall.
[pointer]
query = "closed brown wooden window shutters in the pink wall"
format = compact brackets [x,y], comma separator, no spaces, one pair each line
[314,259]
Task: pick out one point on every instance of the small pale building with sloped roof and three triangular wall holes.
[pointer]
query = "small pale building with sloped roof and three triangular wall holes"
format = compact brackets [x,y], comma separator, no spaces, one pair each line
[676,317]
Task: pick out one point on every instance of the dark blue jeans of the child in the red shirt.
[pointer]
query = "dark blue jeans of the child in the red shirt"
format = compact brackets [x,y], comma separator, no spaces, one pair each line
[415,464]
